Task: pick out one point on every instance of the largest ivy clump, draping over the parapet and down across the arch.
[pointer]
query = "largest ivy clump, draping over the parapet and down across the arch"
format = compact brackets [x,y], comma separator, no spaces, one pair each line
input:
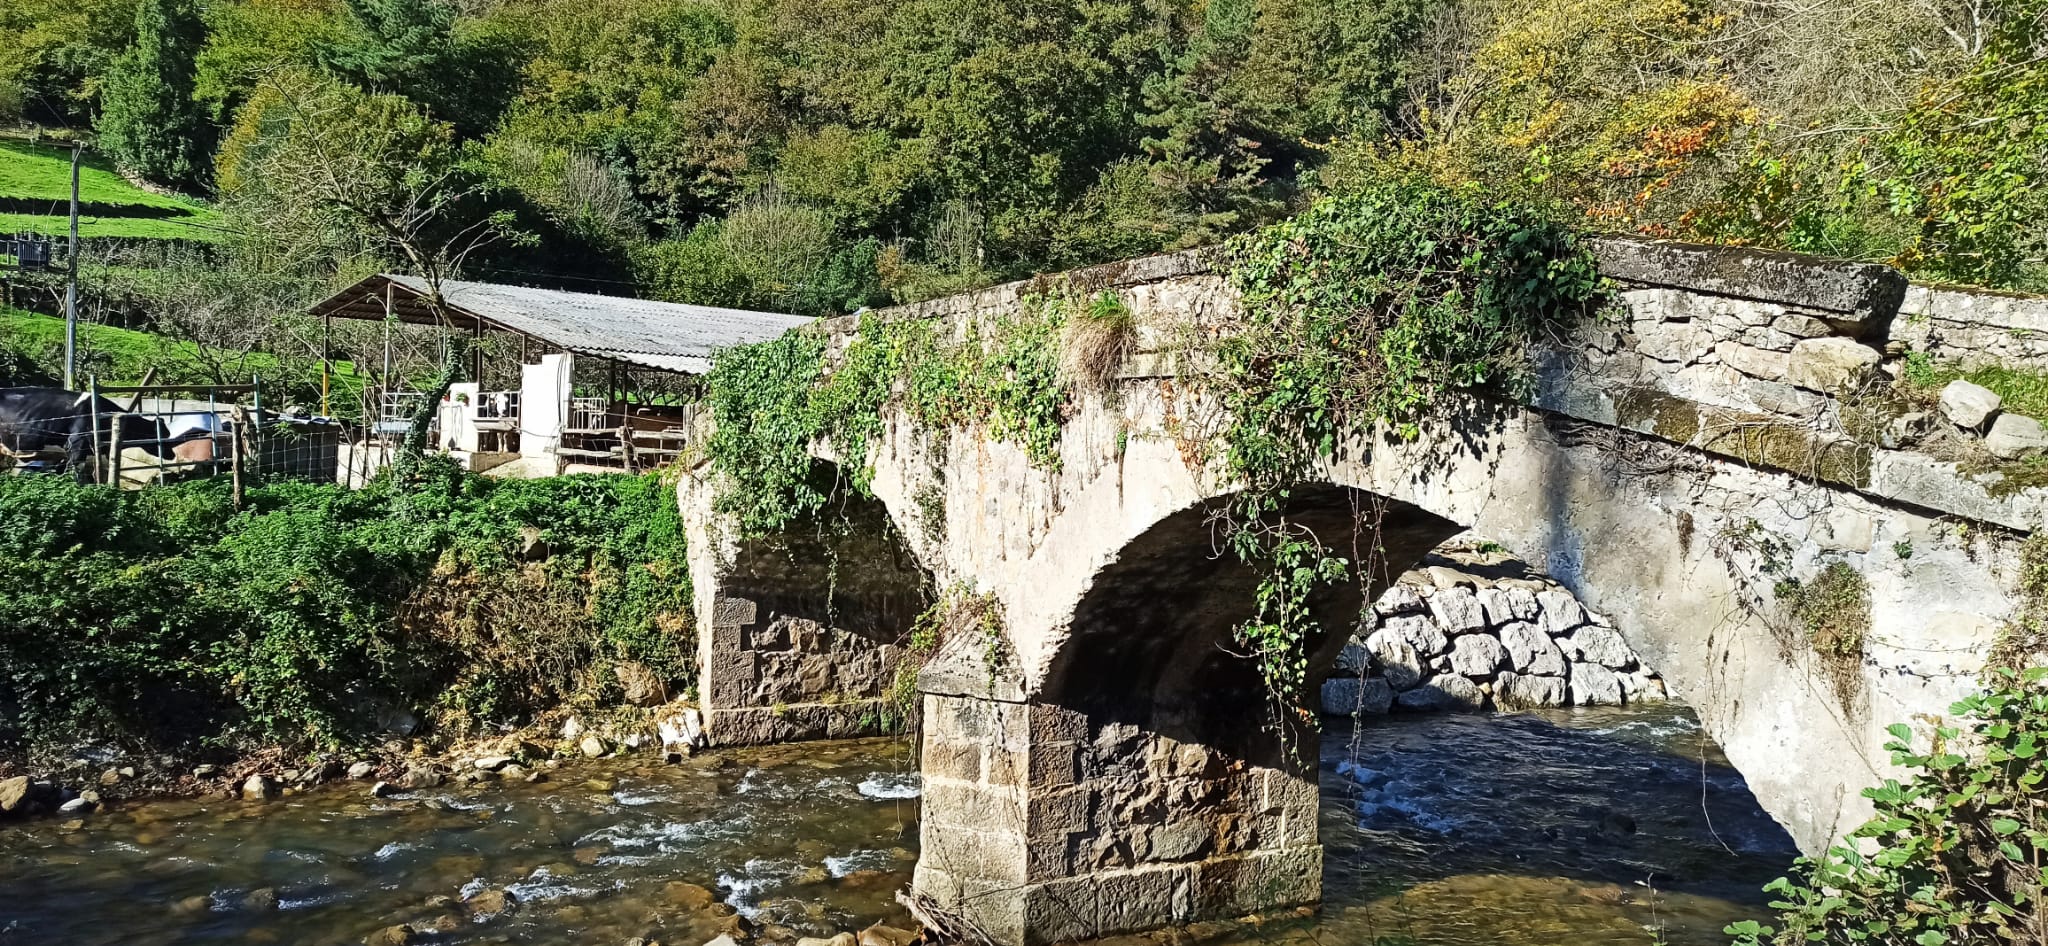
[1369,308]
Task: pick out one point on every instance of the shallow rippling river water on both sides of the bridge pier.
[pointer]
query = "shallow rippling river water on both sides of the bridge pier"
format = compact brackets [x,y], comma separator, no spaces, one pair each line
[1547,828]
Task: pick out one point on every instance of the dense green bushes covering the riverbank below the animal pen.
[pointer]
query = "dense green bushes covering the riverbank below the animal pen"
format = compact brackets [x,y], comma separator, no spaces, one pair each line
[167,619]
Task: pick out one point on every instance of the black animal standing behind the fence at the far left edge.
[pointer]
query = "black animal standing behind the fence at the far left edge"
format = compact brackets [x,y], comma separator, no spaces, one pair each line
[40,419]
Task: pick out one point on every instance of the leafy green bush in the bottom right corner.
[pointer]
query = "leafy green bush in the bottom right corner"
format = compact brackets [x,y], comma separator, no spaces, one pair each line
[1955,853]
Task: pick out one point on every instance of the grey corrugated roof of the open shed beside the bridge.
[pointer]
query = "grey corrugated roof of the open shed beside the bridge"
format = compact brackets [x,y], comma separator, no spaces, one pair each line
[669,337]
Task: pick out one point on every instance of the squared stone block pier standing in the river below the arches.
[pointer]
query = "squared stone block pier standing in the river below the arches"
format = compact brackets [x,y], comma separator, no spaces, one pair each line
[1048,826]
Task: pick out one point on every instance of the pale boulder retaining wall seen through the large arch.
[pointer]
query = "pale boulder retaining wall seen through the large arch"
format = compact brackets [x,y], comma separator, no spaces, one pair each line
[1474,630]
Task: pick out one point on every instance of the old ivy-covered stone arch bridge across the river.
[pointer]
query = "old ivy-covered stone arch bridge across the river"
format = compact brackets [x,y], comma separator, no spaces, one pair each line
[1101,761]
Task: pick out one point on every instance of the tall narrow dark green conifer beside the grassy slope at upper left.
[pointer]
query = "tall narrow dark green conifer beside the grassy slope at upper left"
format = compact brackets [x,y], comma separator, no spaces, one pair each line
[148,122]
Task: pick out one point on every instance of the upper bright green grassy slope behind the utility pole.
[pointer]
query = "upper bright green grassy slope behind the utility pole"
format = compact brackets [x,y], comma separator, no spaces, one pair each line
[34,175]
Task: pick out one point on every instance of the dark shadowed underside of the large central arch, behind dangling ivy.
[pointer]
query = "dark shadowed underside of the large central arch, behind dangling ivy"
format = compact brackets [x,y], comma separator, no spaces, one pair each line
[1152,642]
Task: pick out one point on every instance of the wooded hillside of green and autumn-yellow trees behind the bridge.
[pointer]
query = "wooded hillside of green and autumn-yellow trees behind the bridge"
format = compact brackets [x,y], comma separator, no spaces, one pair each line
[828,155]
